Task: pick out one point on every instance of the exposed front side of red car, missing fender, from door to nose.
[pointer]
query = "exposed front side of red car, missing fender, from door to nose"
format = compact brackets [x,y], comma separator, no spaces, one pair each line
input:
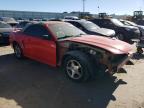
[101,59]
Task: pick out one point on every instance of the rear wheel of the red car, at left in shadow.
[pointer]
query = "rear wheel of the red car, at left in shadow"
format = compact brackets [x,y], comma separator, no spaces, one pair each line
[18,51]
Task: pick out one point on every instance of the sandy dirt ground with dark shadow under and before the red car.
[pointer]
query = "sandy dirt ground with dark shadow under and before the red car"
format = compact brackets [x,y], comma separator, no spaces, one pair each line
[29,84]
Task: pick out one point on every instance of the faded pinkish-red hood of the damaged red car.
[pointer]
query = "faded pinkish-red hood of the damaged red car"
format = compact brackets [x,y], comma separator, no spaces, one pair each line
[112,45]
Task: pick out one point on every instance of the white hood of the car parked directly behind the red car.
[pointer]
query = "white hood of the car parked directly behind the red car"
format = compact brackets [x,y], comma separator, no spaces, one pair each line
[104,31]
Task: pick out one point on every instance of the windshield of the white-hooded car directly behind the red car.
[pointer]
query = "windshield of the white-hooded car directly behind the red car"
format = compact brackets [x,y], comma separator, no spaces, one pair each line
[89,25]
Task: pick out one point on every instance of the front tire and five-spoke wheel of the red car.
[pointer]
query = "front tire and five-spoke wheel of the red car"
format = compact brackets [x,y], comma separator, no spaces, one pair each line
[77,66]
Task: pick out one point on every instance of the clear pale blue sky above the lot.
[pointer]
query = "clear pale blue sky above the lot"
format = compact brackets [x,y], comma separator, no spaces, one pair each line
[118,7]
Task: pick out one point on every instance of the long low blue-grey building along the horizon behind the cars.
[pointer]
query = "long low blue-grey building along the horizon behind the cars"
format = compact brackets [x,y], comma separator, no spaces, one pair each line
[47,15]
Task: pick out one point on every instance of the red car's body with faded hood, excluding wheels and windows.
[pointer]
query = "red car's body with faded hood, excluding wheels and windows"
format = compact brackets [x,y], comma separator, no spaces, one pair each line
[53,51]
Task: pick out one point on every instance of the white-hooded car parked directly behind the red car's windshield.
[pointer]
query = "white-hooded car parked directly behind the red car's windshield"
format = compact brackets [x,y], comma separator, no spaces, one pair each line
[91,28]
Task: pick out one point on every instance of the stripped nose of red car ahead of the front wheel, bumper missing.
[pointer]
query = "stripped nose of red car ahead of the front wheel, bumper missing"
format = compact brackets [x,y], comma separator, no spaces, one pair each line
[107,61]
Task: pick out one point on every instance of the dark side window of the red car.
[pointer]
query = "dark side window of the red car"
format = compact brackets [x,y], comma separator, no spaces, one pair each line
[37,31]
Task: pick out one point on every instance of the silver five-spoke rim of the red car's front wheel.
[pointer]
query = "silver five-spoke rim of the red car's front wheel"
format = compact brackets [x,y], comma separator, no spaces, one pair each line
[74,69]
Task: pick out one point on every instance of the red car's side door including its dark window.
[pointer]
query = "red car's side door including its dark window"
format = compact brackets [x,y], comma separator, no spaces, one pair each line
[42,45]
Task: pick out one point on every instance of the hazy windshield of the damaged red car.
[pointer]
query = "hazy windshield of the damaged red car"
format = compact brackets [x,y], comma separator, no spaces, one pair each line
[65,30]
